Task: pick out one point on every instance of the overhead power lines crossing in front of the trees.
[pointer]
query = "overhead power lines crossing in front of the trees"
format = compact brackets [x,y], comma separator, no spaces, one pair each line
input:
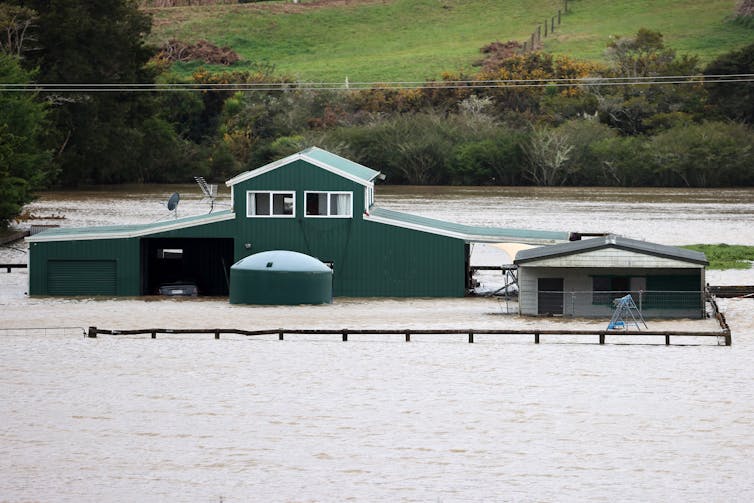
[390,85]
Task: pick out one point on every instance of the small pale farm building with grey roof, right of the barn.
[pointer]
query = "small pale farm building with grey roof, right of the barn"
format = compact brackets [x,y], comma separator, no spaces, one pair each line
[582,278]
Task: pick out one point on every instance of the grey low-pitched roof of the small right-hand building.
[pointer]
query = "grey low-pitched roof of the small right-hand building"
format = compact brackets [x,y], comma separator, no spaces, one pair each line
[610,241]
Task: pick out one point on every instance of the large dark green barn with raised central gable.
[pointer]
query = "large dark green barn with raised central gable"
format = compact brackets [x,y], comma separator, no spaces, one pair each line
[313,202]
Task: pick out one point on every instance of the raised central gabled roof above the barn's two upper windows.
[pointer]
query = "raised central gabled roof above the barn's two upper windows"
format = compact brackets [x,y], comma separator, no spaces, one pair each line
[321,158]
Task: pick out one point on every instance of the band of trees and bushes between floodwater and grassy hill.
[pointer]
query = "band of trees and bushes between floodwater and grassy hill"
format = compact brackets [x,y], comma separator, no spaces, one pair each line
[697,134]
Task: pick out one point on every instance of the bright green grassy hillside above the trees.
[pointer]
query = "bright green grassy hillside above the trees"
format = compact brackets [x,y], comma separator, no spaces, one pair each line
[367,40]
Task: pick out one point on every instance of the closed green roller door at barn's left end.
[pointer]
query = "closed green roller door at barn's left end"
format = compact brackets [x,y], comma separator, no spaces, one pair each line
[81,277]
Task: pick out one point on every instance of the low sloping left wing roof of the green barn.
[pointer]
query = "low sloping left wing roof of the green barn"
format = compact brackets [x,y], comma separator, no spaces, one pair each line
[128,231]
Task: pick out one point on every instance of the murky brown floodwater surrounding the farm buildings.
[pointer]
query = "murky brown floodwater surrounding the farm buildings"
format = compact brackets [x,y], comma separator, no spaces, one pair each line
[189,418]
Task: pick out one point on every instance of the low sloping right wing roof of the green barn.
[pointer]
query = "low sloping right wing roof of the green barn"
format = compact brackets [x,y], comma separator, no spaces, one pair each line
[468,233]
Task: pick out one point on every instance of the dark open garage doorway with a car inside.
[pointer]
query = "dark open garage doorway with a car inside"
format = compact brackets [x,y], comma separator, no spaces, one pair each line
[204,262]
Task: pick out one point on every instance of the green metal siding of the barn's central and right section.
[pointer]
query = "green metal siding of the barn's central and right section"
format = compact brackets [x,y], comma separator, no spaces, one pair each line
[369,259]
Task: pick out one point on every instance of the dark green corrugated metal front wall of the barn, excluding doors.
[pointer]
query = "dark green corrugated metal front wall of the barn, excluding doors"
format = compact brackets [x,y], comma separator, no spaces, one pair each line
[369,259]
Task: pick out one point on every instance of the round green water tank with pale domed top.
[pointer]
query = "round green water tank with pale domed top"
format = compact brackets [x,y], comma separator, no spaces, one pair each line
[280,277]
